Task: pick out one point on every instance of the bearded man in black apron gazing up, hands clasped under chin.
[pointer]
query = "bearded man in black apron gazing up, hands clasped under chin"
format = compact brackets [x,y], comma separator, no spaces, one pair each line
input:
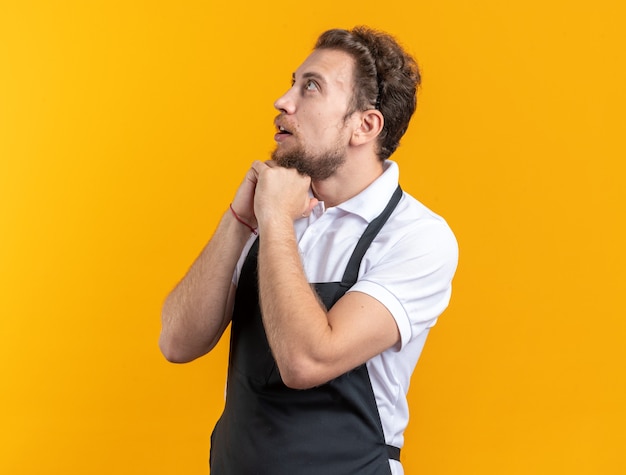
[331,303]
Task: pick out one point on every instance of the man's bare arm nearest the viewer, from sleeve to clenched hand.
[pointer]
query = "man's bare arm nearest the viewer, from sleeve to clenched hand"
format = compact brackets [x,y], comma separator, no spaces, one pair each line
[310,345]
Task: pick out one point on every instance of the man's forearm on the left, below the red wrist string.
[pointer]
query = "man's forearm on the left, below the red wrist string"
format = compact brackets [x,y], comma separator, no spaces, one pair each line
[197,311]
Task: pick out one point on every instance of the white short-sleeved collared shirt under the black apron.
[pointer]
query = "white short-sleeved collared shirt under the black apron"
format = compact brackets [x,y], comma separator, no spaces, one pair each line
[408,268]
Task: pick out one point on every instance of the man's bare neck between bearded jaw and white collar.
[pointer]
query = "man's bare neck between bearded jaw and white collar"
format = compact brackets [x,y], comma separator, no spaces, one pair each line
[352,178]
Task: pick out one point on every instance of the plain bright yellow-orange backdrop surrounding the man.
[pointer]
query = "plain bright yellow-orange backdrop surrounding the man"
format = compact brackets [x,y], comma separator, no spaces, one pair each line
[125,128]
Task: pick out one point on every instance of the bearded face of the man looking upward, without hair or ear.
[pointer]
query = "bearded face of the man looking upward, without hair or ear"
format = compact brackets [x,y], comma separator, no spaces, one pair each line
[312,131]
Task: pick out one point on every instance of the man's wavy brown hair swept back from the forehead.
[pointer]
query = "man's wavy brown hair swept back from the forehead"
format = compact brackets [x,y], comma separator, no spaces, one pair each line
[386,78]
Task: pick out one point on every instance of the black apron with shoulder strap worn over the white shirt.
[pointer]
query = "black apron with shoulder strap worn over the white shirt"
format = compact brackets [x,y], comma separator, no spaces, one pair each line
[269,429]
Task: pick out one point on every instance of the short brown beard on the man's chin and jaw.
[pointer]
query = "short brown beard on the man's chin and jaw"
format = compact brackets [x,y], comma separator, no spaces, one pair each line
[319,166]
